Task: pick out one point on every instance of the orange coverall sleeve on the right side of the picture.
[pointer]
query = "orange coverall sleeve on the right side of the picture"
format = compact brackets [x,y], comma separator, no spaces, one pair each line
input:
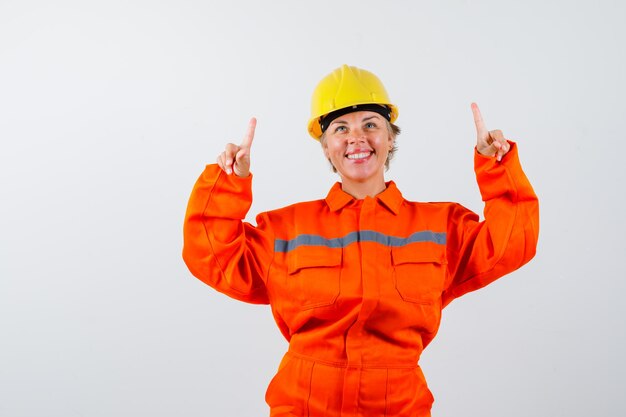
[480,252]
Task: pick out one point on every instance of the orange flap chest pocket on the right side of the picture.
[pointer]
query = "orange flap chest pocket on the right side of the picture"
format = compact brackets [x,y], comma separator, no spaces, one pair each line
[419,272]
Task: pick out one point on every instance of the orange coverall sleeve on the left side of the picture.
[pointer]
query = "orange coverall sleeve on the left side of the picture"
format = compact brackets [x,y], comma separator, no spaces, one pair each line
[220,249]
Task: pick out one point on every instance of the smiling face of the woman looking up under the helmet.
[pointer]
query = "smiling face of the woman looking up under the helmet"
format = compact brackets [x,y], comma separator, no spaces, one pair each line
[357,144]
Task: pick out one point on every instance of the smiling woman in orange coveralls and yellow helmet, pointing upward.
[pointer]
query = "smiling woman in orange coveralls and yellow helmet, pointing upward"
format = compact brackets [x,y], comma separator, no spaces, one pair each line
[357,281]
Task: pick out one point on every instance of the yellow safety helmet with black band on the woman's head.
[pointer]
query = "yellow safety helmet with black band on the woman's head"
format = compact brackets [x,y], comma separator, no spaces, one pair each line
[345,90]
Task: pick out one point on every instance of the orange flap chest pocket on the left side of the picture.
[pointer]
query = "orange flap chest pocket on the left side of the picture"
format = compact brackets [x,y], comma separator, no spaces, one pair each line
[314,275]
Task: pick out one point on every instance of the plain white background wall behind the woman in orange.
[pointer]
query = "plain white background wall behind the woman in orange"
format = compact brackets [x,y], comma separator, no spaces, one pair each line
[109,111]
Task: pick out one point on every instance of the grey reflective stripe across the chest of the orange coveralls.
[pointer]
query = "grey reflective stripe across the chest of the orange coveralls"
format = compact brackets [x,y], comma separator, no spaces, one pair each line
[359,236]
